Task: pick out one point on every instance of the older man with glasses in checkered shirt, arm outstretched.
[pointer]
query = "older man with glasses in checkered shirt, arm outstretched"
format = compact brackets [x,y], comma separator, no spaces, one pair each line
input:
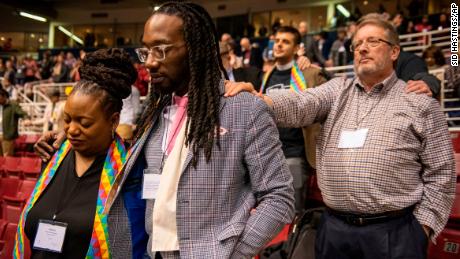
[384,159]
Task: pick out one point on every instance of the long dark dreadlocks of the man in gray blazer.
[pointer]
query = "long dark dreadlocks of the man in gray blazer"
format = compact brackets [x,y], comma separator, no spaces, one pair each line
[206,72]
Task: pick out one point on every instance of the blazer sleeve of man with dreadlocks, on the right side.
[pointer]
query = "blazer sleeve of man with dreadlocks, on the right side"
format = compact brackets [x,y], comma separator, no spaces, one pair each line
[270,180]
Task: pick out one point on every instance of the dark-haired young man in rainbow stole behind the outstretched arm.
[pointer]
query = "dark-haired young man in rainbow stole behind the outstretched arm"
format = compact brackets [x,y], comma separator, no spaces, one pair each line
[288,75]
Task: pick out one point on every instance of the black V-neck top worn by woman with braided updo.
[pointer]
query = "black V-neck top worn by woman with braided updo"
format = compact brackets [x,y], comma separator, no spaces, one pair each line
[73,199]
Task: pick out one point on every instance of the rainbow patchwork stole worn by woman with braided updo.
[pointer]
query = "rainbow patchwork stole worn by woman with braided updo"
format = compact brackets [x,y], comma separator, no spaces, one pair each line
[98,247]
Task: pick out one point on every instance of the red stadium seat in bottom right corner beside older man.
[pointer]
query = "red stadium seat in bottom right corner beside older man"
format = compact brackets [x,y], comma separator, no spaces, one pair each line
[447,245]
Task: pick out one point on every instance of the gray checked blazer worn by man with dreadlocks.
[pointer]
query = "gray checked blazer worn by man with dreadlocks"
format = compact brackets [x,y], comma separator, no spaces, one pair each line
[214,200]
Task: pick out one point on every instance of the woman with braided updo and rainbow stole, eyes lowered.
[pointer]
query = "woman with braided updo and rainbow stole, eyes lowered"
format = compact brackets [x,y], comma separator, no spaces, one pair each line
[64,216]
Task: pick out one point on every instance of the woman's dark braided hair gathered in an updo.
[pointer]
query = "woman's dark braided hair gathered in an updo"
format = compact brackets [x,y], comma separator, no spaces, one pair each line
[109,74]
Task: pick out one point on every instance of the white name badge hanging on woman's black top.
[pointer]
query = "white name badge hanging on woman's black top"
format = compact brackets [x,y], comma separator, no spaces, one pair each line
[50,236]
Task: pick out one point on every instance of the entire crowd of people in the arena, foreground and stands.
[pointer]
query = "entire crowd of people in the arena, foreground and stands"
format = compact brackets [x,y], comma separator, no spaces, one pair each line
[217,161]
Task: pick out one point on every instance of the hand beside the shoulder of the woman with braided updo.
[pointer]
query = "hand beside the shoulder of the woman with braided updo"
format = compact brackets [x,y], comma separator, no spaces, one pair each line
[45,150]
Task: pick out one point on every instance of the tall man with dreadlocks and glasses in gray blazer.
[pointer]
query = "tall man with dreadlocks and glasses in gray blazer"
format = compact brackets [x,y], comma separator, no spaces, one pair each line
[201,163]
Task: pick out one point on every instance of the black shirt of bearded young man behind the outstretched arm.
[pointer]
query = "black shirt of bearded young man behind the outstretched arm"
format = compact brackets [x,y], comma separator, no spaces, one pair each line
[291,138]
